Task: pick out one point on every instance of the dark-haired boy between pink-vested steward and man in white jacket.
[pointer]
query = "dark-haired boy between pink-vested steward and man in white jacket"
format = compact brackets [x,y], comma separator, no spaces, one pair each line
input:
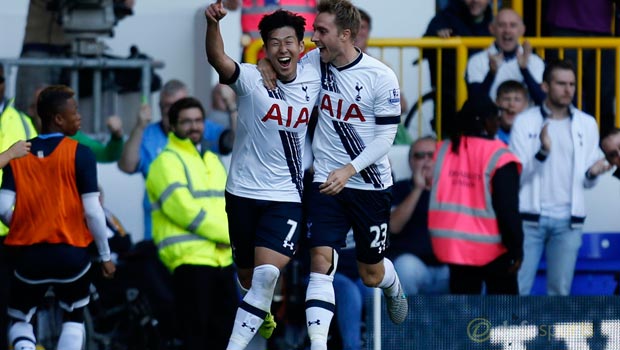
[512,99]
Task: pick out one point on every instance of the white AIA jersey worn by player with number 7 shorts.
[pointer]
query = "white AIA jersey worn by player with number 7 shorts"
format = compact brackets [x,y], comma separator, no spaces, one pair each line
[267,154]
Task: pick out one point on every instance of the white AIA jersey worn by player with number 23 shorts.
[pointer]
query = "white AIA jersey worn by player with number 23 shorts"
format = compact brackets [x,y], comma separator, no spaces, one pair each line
[354,98]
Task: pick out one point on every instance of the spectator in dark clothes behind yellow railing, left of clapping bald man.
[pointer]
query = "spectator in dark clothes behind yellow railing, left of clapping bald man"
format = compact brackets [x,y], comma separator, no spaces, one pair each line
[461,18]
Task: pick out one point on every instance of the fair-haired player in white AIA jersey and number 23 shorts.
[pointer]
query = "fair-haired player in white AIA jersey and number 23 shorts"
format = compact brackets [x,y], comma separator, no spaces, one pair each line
[359,111]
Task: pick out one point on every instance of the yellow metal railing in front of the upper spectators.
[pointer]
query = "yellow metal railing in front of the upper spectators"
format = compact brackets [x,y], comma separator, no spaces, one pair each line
[462,45]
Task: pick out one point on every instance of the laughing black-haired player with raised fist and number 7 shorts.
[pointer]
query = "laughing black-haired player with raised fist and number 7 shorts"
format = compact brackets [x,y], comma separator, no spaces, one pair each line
[265,182]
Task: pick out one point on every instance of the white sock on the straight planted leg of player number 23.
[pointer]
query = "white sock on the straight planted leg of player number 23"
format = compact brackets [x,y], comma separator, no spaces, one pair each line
[320,305]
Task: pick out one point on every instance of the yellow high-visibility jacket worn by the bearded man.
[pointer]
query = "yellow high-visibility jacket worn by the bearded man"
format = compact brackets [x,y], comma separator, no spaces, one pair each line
[186,191]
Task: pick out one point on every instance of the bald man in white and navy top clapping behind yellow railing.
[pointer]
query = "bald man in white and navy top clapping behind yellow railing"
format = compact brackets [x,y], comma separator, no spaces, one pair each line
[505,60]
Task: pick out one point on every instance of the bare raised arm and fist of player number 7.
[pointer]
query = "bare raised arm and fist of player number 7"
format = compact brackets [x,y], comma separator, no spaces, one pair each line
[214,44]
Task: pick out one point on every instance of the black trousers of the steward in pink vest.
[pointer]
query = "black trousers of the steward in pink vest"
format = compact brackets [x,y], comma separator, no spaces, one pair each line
[495,275]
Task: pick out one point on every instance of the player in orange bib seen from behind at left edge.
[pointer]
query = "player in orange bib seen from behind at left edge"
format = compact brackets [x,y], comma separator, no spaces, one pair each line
[45,251]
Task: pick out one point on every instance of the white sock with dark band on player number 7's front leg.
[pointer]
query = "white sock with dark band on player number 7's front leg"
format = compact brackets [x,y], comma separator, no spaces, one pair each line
[256,303]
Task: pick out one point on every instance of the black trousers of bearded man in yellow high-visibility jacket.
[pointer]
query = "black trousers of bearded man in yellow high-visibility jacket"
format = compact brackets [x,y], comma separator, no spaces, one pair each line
[206,300]
